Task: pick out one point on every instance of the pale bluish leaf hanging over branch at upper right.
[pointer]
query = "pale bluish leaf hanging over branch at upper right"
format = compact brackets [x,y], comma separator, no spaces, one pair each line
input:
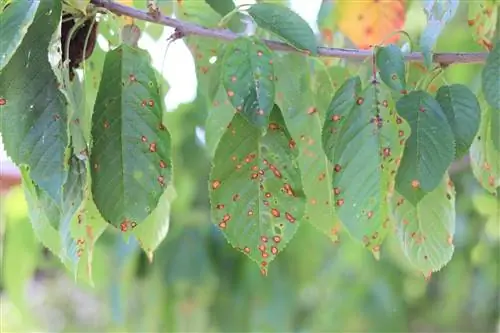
[439,13]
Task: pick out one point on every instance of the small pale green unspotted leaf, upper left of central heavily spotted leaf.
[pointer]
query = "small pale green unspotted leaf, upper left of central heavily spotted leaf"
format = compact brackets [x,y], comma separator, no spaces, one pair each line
[219,116]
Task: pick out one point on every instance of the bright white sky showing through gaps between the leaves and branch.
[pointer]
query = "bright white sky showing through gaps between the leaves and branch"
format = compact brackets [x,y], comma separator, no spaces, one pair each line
[178,64]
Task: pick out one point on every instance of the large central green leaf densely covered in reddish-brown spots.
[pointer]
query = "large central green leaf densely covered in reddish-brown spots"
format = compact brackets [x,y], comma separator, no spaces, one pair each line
[255,188]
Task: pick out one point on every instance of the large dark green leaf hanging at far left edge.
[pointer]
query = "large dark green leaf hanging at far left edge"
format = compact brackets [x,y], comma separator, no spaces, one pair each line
[32,110]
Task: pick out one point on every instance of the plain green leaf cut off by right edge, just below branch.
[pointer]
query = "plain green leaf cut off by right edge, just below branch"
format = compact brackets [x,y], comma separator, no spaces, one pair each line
[491,77]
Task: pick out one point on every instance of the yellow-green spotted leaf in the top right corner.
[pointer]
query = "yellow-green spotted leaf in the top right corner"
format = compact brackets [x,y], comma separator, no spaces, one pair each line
[481,18]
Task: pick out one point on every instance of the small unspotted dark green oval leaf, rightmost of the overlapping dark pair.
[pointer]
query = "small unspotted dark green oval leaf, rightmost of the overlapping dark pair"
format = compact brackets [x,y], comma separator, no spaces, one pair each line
[462,110]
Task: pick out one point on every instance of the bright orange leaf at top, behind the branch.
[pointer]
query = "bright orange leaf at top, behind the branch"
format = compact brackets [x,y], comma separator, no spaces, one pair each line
[371,22]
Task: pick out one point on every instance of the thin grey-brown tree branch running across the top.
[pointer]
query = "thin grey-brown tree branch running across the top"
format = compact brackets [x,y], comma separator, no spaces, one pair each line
[187,28]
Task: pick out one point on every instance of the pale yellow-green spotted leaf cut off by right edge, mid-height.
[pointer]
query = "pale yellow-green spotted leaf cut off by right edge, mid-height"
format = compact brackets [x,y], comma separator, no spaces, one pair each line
[484,156]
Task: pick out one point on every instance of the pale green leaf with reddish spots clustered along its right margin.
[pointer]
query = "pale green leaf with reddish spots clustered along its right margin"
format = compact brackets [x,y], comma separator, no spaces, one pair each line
[364,161]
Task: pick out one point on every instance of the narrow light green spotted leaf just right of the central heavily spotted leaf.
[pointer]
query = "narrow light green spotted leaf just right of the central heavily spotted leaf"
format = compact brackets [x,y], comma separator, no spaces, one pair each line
[297,100]
